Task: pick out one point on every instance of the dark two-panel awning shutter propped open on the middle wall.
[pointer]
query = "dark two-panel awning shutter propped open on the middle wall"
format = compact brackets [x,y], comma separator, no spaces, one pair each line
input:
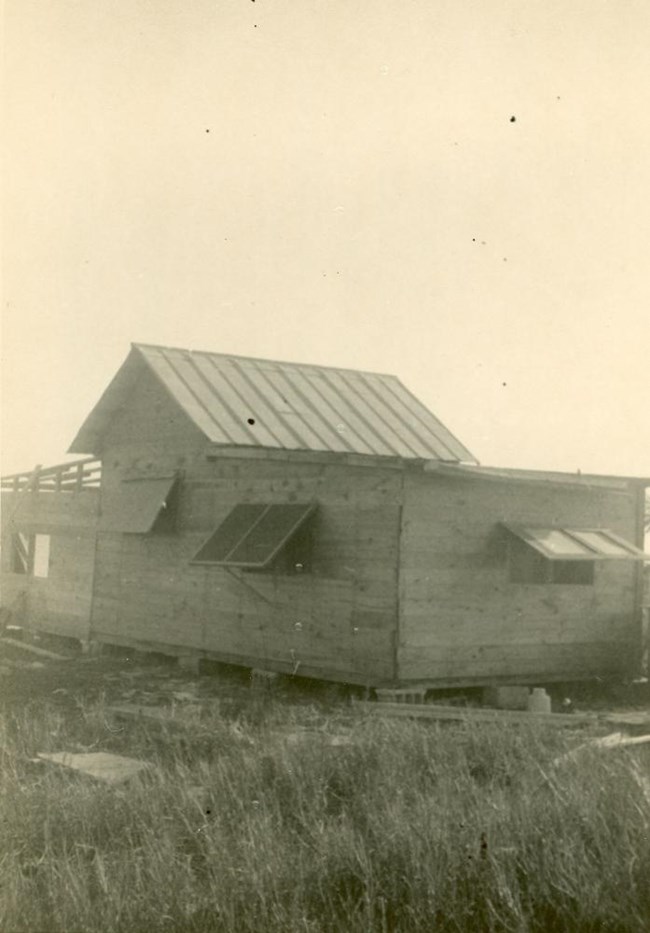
[253,535]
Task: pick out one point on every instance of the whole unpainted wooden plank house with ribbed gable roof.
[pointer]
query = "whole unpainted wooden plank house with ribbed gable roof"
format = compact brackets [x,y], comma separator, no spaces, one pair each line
[323,522]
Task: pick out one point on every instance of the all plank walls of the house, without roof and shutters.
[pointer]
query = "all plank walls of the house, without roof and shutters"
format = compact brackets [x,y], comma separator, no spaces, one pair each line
[409,579]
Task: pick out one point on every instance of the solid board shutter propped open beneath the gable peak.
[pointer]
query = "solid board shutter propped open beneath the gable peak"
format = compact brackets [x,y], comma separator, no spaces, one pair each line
[140,505]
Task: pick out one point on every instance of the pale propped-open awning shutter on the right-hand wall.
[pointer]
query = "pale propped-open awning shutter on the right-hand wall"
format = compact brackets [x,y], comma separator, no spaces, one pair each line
[572,544]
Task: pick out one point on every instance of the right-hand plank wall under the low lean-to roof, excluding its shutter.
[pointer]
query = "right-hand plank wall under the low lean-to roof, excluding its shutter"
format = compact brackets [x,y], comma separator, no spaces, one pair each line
[460,617]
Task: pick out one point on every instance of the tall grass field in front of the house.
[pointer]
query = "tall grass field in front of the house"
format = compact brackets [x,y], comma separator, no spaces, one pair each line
[251,820]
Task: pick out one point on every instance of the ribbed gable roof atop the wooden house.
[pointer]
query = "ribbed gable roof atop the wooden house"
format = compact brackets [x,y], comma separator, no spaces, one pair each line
[238,401]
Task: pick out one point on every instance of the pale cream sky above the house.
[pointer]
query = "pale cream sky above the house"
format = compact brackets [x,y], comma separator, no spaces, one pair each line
[453,191]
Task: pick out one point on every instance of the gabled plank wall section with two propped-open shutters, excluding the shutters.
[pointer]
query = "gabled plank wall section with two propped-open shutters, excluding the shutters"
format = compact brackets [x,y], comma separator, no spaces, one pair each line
[337,621]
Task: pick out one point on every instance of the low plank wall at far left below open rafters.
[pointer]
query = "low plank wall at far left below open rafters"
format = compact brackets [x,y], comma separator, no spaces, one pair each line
[61,602]
